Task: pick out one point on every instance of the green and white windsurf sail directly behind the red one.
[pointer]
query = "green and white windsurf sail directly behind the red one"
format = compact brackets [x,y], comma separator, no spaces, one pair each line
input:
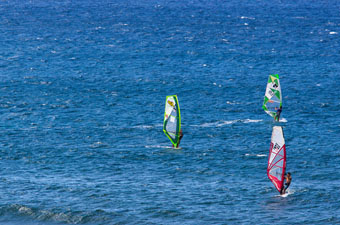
[273,96]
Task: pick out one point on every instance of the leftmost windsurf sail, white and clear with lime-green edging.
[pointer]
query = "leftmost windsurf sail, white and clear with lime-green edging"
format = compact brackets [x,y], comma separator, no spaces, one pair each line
[172,119]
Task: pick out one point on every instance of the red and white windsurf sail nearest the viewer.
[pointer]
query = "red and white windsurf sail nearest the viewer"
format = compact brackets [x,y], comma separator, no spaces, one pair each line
[277,158]
